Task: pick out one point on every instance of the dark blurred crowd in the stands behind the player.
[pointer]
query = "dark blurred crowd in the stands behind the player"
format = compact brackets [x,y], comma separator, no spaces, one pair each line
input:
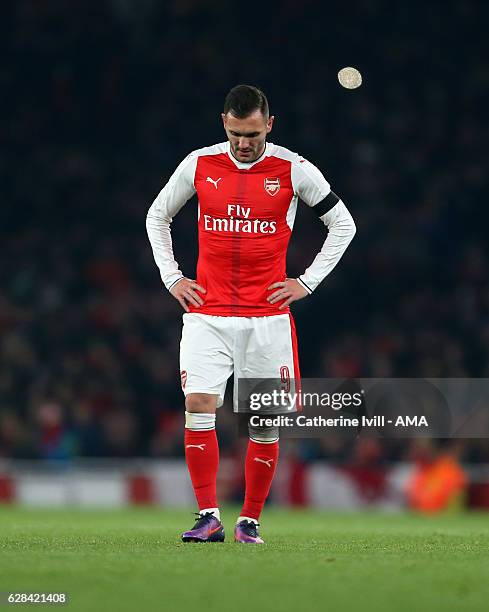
[100,103]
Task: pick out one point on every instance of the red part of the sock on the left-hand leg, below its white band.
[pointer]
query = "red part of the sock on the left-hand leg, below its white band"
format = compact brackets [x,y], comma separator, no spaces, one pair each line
[202,456]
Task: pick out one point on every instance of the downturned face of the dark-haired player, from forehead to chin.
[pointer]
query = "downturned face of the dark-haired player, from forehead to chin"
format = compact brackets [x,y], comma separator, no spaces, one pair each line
[247,136]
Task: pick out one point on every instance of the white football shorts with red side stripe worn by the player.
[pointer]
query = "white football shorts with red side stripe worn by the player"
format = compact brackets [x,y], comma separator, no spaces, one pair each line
[212,348]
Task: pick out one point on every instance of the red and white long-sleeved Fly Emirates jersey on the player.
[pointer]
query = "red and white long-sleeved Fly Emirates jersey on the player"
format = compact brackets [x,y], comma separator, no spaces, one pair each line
[246,213]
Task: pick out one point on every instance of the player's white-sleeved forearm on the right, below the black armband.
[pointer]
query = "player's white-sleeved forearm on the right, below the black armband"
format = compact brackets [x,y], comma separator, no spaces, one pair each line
[341,231]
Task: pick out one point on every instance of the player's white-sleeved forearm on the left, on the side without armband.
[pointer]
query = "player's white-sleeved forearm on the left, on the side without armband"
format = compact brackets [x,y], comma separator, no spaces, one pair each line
[159,235]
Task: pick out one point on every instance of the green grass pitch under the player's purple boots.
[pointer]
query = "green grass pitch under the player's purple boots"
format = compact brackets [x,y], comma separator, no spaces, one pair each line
[132,559]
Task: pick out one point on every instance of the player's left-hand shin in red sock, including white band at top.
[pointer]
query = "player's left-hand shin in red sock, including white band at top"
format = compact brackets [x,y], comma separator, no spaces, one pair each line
[202,457]
